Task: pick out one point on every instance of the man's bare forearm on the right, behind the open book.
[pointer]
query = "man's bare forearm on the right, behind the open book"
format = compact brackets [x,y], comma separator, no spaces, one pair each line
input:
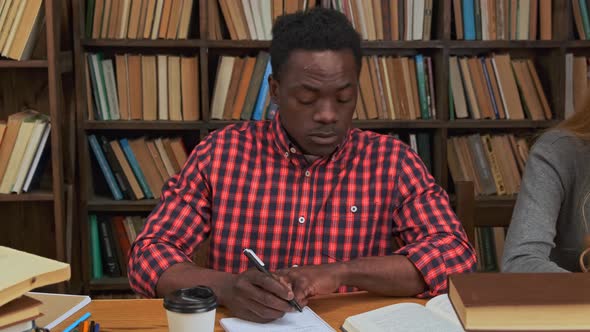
[388,275]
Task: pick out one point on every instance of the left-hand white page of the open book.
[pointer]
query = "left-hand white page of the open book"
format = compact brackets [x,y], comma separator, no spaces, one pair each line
[403,317]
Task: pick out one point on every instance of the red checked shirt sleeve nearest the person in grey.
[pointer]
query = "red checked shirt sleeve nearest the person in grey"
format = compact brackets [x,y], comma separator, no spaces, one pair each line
[436,242]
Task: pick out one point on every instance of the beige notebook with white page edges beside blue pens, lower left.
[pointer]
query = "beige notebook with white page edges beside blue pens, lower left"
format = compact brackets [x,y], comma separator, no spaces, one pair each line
[57,307]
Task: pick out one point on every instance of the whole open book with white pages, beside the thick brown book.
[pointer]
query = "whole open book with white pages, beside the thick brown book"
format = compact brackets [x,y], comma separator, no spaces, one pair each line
[437,315]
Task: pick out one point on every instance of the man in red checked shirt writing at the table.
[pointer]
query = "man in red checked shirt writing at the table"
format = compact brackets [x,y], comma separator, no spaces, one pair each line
[317,201]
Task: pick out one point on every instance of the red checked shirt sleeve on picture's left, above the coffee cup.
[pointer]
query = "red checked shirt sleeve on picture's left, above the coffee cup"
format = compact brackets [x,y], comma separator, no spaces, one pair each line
[178,224]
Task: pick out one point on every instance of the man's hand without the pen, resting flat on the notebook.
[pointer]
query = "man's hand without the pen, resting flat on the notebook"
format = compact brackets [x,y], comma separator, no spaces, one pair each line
[312,280]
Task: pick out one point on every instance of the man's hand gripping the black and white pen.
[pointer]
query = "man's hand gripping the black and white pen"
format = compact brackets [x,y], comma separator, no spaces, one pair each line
[255,296]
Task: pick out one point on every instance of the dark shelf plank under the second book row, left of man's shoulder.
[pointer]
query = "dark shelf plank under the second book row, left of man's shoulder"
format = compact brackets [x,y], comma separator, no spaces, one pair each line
[144,125]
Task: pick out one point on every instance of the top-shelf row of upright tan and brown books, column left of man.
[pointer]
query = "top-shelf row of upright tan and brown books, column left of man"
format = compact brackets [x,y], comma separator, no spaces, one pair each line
[139,19]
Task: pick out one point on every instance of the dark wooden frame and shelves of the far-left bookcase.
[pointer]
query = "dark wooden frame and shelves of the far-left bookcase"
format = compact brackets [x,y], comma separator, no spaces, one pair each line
[40,221]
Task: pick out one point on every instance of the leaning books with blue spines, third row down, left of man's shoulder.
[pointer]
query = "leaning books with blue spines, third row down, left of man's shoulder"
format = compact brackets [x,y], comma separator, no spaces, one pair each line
[136,168]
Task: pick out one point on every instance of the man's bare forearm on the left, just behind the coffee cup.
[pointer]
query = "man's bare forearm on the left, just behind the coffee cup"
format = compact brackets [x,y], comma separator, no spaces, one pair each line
[184,275]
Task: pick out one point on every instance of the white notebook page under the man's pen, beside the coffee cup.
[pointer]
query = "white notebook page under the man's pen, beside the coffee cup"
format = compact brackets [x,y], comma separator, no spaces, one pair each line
[306,321]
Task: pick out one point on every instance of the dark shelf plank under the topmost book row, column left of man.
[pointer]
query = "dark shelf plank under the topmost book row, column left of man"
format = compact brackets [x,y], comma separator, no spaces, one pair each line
[142,43]
